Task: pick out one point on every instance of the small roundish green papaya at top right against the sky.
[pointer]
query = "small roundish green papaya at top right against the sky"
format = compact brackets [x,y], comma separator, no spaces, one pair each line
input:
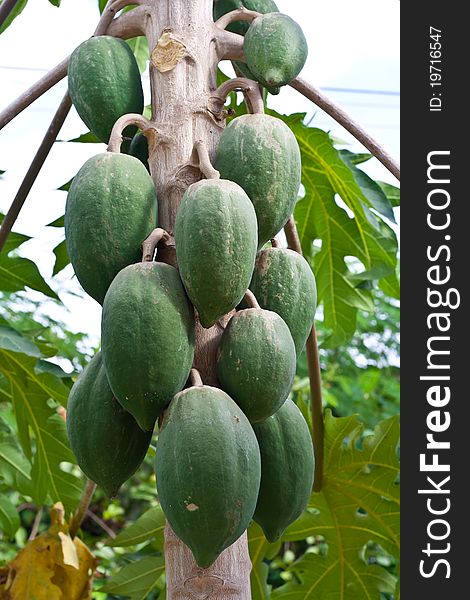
[275,50]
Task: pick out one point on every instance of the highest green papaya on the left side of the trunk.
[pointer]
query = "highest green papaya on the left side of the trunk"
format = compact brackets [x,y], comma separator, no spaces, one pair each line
[104,84]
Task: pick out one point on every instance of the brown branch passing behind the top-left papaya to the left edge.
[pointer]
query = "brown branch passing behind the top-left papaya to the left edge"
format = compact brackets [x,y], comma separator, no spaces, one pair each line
[125,26]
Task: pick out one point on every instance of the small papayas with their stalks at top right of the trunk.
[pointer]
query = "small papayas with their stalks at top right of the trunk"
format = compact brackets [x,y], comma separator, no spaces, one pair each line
[275,47]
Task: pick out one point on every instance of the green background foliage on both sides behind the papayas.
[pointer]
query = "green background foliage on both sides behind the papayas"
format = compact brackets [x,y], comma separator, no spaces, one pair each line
[346,543]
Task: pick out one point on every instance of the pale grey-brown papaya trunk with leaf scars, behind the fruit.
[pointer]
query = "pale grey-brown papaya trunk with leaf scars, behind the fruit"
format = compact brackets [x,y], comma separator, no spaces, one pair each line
[183,68]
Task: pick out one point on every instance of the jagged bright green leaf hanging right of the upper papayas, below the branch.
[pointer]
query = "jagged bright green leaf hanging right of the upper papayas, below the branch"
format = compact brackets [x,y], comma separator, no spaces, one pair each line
[319,217]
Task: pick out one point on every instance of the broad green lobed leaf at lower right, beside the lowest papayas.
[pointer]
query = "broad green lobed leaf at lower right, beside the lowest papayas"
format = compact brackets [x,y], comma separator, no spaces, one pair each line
[358,504]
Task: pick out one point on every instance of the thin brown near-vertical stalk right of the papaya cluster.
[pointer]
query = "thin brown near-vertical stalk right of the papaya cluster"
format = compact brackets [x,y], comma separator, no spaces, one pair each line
[314,374]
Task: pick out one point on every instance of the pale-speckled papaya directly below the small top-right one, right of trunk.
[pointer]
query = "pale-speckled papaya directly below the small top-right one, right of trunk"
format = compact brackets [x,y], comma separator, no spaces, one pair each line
[261,154]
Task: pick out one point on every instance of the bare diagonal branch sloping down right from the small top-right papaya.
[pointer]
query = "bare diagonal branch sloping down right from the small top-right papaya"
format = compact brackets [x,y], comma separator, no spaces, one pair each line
[341,117]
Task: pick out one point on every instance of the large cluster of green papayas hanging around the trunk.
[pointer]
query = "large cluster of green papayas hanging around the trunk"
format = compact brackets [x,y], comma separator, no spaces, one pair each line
[228,454]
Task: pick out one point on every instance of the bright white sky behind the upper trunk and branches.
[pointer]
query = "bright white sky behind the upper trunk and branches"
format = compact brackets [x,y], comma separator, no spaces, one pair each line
[353,57]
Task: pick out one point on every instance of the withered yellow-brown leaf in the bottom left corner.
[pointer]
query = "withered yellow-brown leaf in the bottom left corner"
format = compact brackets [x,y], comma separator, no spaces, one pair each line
[50,567]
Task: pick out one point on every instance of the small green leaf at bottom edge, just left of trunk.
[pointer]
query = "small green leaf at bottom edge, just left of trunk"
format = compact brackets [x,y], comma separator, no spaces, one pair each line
[137,579]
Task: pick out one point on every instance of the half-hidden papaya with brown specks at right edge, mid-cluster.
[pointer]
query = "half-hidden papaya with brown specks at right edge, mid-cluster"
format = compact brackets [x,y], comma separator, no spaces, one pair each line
[284,283]
